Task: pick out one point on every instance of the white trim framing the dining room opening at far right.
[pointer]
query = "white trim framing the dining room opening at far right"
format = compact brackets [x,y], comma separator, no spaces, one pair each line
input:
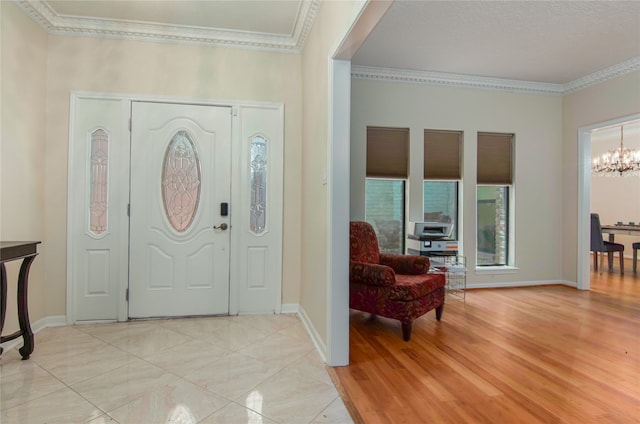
[584,196]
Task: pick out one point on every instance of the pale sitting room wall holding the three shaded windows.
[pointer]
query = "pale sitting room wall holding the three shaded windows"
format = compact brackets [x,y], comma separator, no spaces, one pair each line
[537,123]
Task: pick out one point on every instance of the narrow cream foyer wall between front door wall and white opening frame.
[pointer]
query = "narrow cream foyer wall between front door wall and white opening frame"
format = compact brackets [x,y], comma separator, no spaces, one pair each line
[331,25]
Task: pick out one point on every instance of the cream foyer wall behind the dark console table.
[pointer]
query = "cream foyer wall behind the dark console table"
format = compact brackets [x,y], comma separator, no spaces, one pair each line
[22,150]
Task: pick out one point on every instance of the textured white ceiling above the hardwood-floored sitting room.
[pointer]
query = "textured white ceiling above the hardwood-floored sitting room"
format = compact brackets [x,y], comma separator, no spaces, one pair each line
[540,41]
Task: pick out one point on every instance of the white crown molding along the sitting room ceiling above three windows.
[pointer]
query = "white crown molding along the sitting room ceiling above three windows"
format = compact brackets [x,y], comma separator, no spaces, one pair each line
[470,81]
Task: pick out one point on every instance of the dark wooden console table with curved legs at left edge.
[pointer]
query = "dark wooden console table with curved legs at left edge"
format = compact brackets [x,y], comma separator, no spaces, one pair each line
[11,251]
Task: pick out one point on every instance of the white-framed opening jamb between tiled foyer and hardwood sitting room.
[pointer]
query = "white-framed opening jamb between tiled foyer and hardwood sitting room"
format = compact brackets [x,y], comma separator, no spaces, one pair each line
[338,161]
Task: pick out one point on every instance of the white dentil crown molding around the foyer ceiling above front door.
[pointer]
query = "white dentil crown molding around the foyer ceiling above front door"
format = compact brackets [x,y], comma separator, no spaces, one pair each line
[56,24]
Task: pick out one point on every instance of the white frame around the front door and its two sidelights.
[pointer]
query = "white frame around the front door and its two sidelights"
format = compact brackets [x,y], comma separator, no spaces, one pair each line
[236,199]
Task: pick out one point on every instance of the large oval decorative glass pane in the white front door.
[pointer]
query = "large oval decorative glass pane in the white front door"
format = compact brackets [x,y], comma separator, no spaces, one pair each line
[181,181]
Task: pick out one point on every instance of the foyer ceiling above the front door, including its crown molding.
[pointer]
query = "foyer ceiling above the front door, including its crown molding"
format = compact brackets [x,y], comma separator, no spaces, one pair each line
[277,25]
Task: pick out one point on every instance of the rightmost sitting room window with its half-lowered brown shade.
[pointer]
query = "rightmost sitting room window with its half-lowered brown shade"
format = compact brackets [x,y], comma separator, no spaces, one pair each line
[493,198]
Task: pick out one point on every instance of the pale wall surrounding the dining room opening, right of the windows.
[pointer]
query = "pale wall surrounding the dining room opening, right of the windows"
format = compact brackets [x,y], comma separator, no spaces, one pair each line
[611,99]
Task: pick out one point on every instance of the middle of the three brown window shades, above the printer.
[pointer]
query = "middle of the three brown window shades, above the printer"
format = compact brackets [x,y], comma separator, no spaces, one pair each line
[442,155]
